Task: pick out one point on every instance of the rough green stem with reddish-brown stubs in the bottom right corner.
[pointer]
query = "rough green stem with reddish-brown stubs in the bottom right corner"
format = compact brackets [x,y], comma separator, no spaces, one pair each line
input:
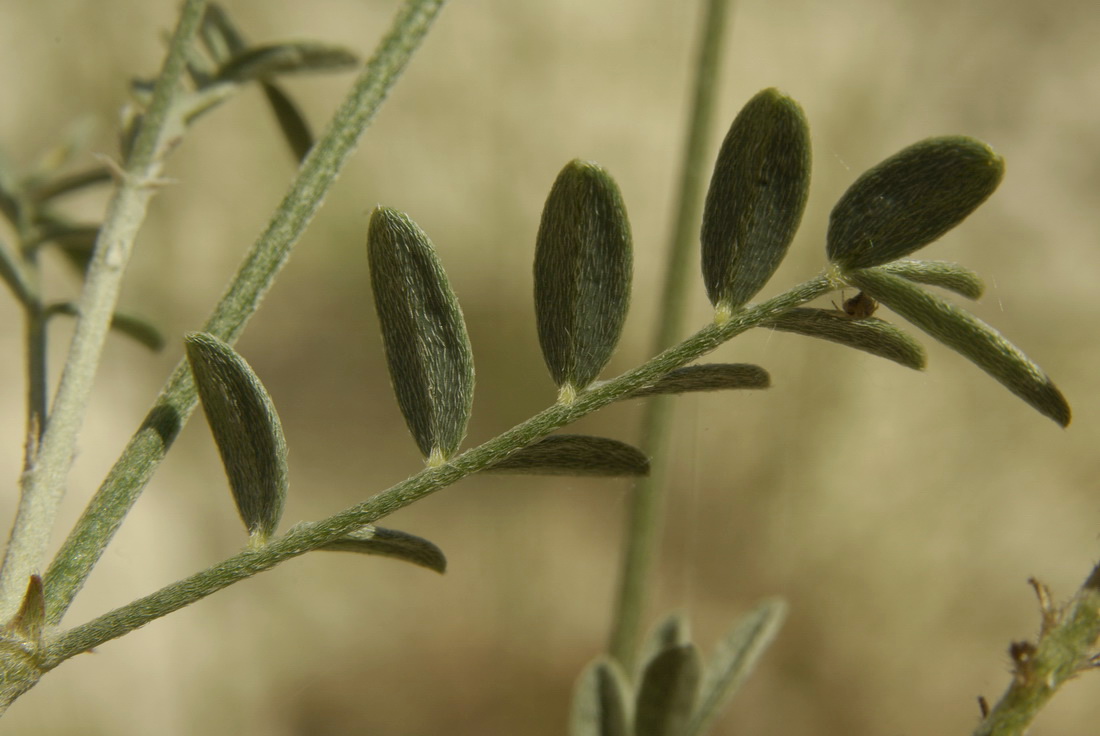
[1063,652]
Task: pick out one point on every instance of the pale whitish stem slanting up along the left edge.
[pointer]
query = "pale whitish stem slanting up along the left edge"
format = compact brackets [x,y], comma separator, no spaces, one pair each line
[43,484]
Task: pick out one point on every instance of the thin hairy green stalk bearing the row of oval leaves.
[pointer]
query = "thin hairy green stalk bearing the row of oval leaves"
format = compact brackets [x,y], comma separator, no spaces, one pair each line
[306,537]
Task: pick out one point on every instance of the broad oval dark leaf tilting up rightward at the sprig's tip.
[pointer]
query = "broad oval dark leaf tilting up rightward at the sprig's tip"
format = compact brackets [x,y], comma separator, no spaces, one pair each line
[911,200]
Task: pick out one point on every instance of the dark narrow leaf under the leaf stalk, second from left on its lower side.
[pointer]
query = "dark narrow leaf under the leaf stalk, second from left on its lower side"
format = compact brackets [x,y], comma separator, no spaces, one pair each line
[576,455]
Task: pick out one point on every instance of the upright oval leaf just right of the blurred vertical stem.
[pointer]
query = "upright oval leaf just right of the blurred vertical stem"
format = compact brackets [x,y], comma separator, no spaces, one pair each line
[756,200]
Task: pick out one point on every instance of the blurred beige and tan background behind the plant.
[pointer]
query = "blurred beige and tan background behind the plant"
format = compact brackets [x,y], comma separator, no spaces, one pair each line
[899,513]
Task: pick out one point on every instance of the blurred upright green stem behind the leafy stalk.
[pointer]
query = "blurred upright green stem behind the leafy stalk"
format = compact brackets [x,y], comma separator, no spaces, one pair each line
[644,521]
